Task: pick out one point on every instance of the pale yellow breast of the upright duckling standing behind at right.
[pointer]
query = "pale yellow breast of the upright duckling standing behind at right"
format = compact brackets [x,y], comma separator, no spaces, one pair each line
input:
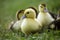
[44,18]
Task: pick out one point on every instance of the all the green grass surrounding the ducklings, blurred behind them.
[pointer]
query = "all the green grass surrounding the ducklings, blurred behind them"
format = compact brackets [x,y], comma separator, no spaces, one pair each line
[8,10]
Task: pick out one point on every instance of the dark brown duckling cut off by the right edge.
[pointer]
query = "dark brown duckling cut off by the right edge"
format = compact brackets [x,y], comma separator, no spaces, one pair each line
[56,23]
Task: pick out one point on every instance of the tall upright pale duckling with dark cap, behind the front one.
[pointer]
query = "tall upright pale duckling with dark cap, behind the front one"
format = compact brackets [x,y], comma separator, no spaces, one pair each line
[44,16]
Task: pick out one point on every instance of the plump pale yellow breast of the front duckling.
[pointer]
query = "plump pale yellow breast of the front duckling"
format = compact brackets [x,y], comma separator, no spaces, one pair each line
[29,25]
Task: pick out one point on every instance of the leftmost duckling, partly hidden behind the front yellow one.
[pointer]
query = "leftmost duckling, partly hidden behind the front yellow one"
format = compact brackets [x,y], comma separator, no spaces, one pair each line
[15,25]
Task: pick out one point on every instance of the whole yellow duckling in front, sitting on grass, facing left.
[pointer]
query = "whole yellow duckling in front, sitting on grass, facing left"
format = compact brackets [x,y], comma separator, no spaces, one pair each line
[30,24]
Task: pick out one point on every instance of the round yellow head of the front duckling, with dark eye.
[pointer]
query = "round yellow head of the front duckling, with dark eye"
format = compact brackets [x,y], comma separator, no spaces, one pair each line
[30,13]
